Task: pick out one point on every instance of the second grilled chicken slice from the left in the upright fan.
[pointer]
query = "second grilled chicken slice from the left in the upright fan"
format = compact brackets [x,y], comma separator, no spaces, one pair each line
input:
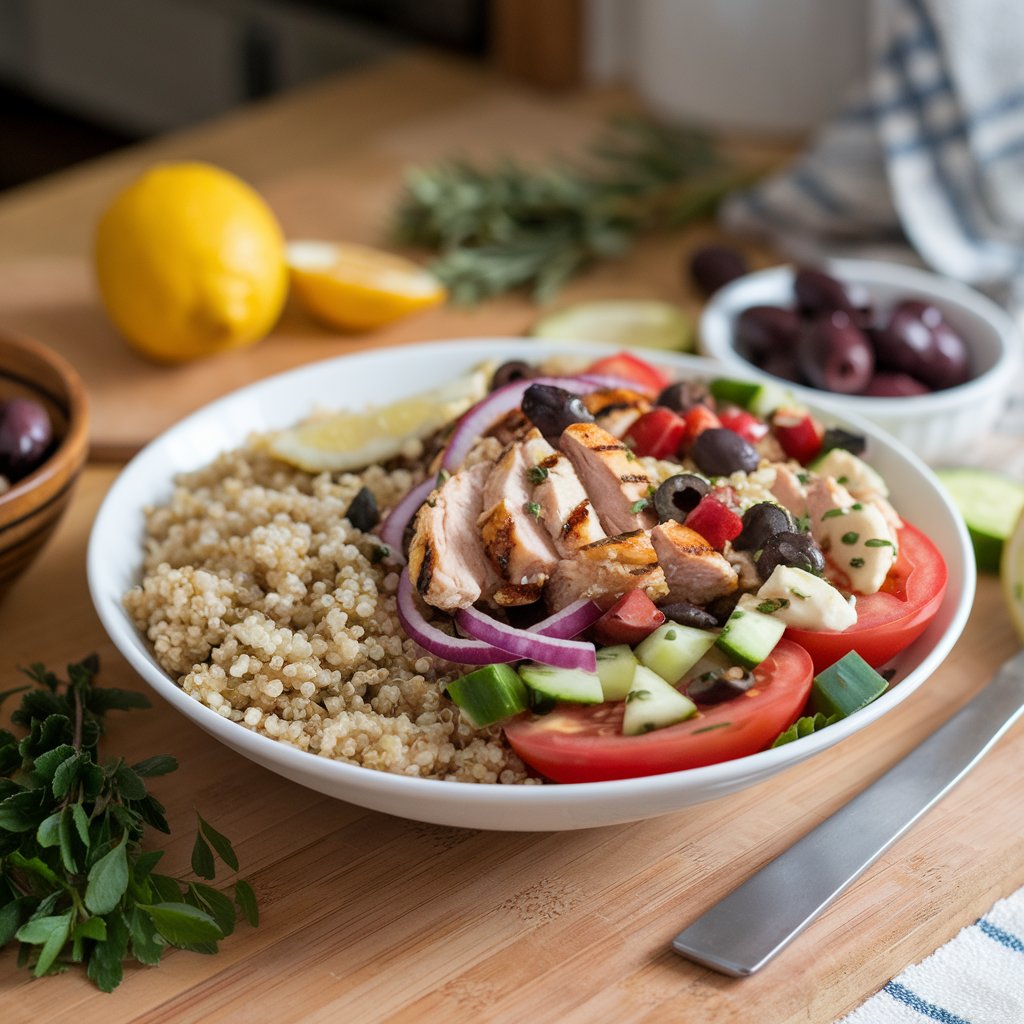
[515,538]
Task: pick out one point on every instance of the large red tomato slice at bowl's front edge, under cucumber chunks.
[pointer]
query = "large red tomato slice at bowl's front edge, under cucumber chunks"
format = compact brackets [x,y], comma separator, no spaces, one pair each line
[577,744]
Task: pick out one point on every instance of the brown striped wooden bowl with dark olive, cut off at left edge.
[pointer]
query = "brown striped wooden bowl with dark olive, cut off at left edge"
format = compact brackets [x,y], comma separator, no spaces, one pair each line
[44,446]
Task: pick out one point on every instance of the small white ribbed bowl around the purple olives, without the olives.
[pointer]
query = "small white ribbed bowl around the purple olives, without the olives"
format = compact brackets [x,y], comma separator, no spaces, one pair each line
[937,426]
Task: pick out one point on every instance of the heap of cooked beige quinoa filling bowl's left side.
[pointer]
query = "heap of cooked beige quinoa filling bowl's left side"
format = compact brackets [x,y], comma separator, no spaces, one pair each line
[264,604]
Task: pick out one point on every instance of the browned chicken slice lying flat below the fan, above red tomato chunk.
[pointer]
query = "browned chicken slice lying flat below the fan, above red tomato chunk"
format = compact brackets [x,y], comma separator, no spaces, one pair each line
[607,570]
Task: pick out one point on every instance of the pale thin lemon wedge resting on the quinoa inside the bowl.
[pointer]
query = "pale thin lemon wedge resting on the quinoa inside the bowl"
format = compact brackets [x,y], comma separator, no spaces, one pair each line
[342,442]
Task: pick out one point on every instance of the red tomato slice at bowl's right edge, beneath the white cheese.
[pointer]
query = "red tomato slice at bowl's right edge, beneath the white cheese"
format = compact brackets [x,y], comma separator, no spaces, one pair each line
[892,619]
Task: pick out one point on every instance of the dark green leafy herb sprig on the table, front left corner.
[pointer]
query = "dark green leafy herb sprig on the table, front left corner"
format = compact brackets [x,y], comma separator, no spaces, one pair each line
[76,886]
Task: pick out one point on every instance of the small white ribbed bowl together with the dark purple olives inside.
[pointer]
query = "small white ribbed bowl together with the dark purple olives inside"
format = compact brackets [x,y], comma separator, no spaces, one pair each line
[926,358]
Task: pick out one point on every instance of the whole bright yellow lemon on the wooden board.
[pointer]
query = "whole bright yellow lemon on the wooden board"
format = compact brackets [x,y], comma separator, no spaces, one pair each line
[191,262]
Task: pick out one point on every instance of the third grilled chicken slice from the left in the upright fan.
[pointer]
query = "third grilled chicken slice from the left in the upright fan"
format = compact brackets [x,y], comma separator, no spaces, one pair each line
[566,509]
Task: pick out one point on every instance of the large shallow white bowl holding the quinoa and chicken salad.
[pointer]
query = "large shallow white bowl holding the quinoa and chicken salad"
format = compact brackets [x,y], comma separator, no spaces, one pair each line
[116,553]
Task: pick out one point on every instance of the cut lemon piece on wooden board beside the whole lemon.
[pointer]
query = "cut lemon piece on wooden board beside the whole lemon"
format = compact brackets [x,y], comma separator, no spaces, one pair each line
[358,288]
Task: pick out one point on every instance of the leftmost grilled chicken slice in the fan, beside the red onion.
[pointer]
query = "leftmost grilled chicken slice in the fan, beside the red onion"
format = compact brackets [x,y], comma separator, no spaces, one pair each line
[445,559]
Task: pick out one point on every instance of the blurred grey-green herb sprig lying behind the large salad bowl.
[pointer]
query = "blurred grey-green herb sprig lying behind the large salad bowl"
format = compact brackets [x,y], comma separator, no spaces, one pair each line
[508,226]
